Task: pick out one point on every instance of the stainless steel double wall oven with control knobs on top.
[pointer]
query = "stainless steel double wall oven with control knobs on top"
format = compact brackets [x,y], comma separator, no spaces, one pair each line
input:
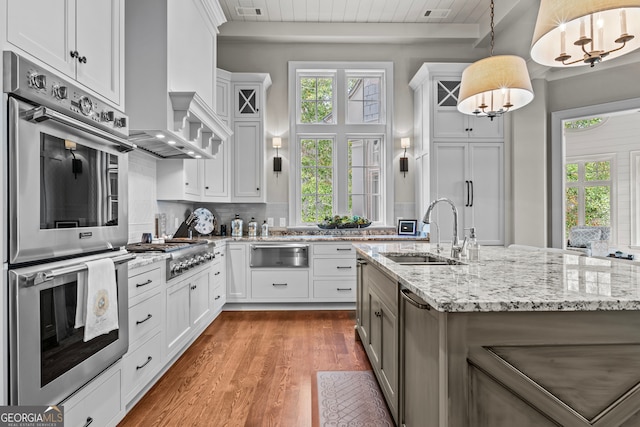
[67,205]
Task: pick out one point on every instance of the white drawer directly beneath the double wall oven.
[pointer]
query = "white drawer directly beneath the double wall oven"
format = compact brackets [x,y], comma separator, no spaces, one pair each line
[99,406]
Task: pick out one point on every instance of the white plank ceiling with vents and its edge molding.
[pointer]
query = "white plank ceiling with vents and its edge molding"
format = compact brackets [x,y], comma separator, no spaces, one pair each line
[354,21]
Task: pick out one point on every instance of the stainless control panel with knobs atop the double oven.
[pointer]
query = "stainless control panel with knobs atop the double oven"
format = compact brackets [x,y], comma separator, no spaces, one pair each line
[32,83]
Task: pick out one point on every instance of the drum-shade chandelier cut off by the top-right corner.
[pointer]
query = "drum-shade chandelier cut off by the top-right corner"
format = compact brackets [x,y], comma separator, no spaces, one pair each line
[580,32]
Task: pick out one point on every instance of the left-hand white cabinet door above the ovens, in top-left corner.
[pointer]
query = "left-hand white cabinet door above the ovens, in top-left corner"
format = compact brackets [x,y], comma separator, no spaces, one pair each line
[45,29]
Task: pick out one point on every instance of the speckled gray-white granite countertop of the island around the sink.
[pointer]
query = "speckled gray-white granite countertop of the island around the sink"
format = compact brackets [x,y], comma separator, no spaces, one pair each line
[513,280]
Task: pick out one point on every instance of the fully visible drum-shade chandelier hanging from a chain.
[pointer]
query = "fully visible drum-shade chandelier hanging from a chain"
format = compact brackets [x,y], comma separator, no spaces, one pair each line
[492,86]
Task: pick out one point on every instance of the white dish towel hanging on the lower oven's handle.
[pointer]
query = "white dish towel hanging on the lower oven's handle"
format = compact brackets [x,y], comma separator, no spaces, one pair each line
[97,305]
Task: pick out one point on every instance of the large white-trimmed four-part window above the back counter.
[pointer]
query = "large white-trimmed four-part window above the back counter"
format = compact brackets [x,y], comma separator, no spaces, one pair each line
[340,125]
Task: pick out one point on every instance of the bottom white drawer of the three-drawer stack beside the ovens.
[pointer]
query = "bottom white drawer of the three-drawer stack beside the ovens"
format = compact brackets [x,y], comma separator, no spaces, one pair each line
[141,365]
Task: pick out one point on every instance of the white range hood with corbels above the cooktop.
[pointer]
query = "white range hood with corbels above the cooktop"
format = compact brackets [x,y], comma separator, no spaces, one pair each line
[170,66]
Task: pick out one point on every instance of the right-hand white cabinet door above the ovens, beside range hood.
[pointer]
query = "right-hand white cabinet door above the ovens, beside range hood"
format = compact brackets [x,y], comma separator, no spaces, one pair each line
[98,39]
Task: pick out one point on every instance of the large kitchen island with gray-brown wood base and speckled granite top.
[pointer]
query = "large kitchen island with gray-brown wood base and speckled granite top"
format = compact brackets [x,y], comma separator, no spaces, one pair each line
[515,339]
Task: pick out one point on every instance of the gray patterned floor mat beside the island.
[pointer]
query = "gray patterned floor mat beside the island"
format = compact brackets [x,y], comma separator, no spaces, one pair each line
[351,398]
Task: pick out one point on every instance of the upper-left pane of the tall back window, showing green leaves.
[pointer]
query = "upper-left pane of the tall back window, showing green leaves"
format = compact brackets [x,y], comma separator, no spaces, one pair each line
[316,98]
